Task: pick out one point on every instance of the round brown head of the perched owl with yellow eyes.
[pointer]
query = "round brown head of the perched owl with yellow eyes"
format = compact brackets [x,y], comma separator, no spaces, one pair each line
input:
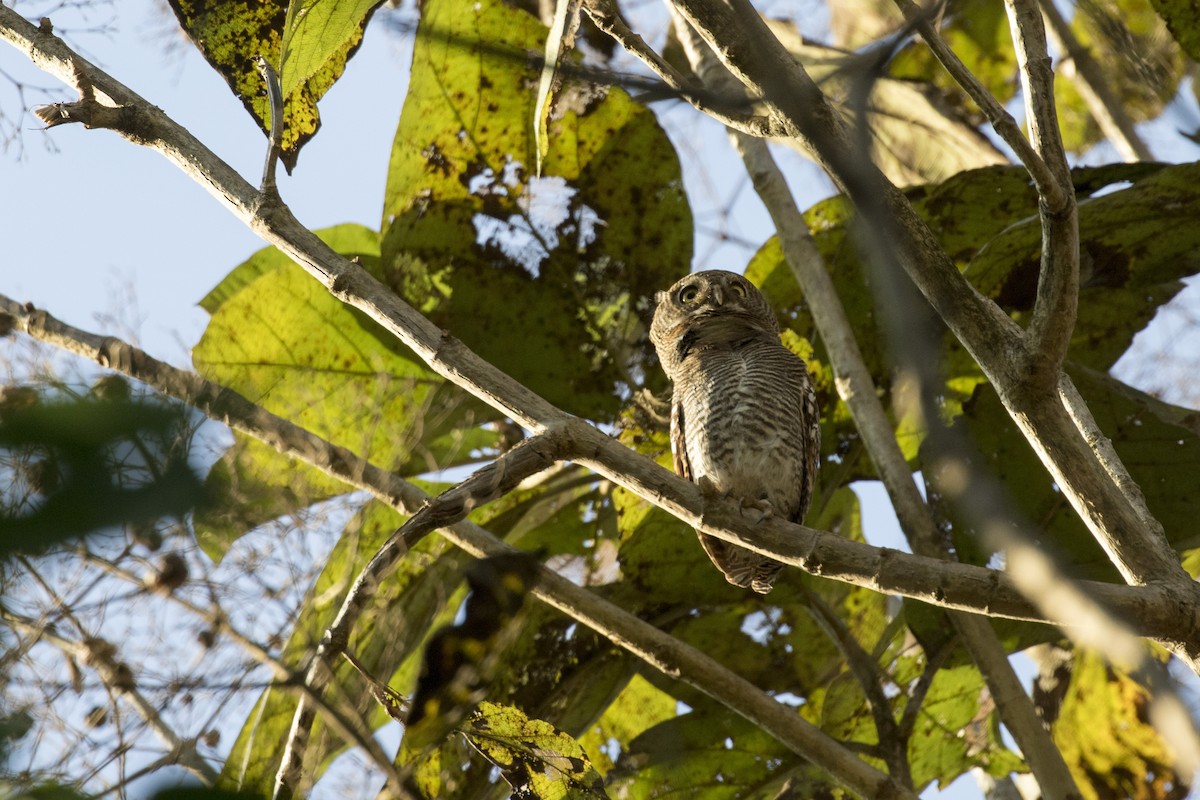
[711,309]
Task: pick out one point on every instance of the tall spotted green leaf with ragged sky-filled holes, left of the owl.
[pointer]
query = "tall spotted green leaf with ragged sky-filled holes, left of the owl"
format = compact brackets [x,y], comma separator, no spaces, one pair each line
[471,238]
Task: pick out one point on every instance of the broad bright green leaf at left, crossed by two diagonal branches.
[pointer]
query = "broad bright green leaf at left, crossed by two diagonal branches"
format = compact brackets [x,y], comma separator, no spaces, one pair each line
[283,341]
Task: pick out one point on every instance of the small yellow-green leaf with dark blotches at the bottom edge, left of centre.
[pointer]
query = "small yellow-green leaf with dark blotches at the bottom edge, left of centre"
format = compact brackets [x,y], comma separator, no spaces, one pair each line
[536,759]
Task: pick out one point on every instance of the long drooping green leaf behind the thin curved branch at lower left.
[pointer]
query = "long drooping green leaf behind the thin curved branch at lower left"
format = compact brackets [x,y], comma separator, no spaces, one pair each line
[387,641]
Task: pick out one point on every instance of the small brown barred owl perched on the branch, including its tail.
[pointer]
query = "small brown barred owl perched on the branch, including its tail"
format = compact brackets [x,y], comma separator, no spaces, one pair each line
[745,420]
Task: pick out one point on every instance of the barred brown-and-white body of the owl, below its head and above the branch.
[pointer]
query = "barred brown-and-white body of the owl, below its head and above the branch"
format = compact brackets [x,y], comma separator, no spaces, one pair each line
[745,423]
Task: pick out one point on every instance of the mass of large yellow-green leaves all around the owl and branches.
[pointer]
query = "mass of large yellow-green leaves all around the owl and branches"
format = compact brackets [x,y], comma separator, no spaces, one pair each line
[551,278]
